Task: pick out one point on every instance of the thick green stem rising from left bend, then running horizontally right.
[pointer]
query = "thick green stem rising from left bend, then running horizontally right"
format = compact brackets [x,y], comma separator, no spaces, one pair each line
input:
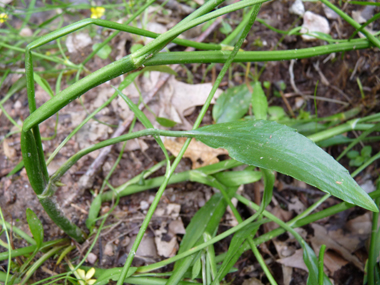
[106,73]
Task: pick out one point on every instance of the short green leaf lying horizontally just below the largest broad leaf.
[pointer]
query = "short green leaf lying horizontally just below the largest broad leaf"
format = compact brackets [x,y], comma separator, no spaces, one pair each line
[237,178]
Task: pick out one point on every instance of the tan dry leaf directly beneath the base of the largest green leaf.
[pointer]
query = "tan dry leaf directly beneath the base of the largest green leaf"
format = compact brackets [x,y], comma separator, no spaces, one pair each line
[199,153]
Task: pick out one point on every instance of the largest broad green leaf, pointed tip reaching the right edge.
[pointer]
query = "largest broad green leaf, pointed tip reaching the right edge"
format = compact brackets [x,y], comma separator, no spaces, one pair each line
[273,146]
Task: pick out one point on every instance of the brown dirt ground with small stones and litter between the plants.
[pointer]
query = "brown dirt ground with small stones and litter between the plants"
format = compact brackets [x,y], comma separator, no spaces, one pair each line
[181,201]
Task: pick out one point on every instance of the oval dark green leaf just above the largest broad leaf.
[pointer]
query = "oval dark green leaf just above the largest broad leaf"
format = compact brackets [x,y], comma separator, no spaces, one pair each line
[232,104]
